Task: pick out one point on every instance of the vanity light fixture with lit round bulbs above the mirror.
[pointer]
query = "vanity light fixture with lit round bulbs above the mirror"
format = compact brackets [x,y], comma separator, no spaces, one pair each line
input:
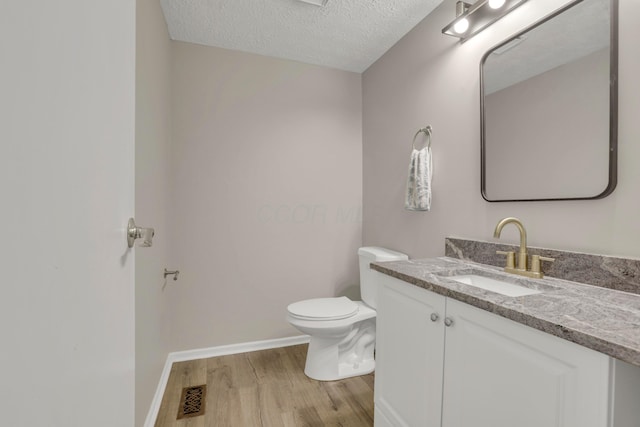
[473,18]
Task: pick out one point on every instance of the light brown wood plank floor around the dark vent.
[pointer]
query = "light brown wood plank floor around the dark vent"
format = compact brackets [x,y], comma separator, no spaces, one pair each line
[267,388]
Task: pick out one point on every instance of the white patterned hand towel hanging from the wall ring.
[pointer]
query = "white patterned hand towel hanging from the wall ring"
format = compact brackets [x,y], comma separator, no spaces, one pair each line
[418,197]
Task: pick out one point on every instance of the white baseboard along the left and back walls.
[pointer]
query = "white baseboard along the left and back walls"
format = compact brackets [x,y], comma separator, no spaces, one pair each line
[203,353]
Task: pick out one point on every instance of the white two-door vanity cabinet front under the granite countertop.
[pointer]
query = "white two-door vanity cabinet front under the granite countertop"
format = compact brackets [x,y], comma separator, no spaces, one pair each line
[478,369]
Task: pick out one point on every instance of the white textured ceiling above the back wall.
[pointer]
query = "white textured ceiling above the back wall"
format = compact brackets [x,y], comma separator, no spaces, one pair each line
[345,34]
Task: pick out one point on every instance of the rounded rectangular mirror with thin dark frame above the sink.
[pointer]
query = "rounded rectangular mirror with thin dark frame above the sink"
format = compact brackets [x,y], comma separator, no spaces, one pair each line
[549,108]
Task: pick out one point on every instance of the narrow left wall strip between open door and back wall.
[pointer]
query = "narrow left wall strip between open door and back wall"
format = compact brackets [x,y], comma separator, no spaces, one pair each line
[153,133]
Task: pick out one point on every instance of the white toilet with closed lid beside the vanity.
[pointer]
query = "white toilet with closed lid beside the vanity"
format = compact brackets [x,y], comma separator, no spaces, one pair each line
[342,331]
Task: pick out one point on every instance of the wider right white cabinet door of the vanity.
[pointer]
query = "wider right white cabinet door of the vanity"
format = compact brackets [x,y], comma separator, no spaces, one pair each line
[499,373]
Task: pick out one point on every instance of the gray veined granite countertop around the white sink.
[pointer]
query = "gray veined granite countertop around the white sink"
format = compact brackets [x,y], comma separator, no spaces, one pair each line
[598,318]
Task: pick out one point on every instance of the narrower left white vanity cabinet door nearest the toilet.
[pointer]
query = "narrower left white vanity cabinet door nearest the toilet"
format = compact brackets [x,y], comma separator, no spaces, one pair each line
[409,355]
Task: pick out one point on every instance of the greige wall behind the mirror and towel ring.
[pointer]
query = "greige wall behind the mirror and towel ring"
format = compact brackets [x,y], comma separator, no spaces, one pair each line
[428,78]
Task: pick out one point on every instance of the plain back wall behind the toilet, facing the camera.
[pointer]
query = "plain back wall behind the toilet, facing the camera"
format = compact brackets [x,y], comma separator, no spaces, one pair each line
[265,193]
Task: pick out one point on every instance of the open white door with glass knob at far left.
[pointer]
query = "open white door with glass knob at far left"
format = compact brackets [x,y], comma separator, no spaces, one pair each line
[67,97]
